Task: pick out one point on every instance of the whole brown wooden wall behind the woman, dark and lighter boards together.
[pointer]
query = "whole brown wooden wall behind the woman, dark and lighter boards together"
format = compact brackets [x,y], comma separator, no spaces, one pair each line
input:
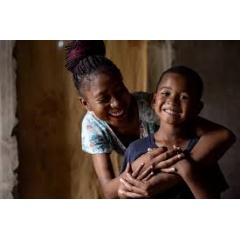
[51,162]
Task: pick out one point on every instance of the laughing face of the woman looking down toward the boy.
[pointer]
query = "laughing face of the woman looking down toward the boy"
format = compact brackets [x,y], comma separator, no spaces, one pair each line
[108,98]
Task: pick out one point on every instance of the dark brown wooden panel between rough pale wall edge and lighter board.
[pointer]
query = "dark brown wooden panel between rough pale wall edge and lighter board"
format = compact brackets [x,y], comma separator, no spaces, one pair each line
[42,87]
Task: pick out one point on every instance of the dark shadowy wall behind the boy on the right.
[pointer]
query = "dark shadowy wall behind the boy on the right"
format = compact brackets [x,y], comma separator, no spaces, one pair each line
[218,63]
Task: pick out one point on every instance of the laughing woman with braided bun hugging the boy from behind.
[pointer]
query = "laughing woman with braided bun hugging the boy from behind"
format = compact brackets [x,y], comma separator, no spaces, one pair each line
[115,118]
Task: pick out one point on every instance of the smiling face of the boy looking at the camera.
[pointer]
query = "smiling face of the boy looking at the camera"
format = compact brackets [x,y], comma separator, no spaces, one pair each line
[175,100]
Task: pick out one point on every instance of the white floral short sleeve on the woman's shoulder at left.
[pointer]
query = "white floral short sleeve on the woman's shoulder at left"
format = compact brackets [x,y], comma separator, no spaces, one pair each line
[94,136]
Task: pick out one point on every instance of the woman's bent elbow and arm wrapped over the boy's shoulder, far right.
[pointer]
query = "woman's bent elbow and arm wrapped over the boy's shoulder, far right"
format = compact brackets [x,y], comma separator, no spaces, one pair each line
[214,141]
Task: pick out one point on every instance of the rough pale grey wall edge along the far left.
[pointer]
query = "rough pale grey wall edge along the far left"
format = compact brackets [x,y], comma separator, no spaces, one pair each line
[8,143]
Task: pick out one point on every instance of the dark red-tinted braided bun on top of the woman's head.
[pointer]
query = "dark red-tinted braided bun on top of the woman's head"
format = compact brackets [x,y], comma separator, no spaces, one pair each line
[76,50]
